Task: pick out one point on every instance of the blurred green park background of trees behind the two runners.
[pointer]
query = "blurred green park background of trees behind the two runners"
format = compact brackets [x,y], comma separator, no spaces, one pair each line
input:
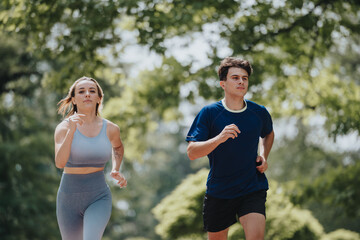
[157,61]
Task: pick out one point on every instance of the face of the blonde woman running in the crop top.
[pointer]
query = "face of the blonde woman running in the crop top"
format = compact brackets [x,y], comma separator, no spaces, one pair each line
[86,95]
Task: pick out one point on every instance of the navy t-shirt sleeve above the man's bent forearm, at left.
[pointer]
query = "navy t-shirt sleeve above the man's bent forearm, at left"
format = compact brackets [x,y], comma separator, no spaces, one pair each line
[199,130]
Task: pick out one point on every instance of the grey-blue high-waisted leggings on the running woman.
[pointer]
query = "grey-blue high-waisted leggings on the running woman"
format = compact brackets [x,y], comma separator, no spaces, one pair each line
[83,206]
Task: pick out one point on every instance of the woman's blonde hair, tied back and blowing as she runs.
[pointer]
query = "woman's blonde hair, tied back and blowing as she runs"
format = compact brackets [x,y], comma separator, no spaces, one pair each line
[66,105]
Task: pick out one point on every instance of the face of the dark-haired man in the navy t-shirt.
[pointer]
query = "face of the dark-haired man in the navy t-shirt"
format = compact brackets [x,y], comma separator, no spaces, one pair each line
[237,82]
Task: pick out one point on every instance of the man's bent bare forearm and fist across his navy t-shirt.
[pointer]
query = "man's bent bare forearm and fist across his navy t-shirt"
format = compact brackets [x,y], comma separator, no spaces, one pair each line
[200,149]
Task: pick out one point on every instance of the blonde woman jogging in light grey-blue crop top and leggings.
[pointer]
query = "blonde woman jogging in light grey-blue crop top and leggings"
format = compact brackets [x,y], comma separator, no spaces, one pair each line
[84,142]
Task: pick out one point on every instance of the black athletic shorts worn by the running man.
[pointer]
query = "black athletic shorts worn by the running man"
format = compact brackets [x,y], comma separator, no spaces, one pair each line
[219,214]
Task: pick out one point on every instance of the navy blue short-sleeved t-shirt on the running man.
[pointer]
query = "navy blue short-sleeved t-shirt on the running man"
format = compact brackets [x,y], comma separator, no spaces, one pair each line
[233,170]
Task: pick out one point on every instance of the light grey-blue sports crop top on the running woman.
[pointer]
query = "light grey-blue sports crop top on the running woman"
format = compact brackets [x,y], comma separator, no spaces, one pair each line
[90,151]
